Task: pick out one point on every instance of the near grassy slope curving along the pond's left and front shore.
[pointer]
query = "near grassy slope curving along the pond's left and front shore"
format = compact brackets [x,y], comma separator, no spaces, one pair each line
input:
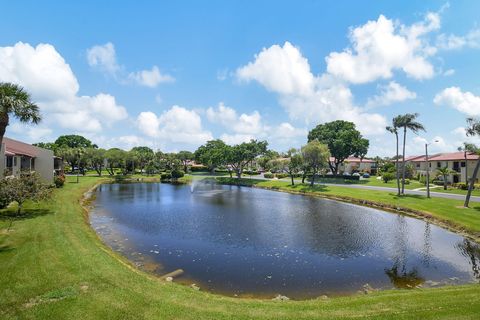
[52,266]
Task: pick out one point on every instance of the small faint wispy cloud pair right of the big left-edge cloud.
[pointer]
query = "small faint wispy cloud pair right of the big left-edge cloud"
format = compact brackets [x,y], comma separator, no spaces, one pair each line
[104,58]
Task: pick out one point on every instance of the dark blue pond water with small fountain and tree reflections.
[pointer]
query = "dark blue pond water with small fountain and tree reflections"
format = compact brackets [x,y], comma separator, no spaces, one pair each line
[243,241]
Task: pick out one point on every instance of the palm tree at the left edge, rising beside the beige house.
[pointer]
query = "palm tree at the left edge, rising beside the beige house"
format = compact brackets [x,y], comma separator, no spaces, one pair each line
[16,102]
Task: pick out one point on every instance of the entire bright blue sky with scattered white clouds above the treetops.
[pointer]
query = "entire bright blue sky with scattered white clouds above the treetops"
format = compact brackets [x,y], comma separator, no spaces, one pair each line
[173,74]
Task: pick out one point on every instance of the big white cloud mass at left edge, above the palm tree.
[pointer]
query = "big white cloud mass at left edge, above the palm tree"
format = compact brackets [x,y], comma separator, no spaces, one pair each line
[50,80]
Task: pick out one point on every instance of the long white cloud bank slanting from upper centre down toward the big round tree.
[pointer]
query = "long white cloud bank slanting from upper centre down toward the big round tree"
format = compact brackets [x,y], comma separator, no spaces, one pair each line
[306,97]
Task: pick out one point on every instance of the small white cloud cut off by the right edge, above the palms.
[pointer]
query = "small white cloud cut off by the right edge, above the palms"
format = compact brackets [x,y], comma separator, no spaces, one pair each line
[465,102]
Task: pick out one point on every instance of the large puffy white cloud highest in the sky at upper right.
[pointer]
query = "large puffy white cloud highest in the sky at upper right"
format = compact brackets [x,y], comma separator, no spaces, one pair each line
[382,46]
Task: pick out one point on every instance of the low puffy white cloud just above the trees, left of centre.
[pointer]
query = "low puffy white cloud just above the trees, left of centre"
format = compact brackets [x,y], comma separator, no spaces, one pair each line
[176,125]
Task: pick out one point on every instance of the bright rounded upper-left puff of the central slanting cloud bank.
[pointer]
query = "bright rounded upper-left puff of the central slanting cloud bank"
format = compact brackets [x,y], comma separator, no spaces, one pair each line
[279,69]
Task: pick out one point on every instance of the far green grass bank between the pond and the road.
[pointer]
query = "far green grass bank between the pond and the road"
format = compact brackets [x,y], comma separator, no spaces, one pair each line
[447,212]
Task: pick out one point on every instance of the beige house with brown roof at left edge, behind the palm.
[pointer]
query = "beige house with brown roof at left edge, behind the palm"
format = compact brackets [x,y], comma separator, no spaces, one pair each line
[17,156]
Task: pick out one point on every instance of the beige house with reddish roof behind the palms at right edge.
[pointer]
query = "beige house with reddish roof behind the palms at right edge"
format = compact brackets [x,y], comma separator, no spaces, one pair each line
[461,162]
